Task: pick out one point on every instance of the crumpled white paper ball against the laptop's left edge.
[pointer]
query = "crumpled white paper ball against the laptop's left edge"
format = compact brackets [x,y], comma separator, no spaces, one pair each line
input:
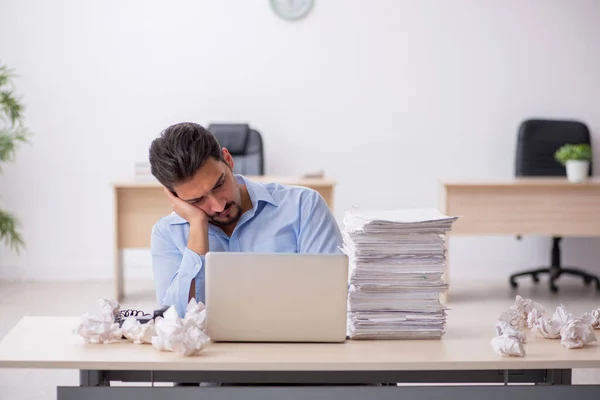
[186,335]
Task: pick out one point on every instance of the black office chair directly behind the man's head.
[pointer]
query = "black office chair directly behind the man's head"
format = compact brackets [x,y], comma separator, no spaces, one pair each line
[245,145]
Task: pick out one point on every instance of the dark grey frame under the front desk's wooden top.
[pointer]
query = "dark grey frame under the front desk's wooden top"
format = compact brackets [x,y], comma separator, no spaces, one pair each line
[536,384]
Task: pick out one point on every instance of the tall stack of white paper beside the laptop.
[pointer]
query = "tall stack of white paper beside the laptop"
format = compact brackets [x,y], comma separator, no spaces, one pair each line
[396,264]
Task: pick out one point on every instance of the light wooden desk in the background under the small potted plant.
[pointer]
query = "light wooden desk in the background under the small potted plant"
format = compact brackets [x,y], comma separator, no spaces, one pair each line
[523,206]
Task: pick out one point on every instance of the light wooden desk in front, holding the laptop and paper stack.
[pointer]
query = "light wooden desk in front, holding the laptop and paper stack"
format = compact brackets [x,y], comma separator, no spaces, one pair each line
[463,355]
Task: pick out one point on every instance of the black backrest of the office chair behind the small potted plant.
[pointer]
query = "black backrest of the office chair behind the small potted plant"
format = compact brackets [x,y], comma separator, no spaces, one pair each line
[538,140]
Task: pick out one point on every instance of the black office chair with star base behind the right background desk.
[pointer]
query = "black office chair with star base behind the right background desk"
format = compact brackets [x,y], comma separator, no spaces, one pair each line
[538,140]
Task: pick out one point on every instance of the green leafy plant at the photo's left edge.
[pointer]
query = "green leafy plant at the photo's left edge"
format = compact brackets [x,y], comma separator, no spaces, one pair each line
[12,133]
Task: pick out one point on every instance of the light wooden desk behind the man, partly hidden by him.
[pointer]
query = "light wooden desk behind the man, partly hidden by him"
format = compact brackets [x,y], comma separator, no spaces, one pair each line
[139,204]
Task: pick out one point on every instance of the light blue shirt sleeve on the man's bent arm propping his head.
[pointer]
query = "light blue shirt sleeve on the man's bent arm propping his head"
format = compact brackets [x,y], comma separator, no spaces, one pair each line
[173,270]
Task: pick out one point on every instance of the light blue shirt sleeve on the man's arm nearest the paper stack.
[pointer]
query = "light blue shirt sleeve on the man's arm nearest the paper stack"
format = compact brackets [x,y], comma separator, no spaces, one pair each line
[319,231]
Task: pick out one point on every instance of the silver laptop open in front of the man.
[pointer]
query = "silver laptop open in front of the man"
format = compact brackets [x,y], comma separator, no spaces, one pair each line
[276,297]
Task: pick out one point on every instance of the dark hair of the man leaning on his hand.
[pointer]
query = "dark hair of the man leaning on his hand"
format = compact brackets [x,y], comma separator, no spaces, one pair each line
[180,151]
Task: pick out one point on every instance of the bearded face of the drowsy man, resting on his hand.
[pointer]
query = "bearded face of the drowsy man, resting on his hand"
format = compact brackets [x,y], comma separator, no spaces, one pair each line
[214,189]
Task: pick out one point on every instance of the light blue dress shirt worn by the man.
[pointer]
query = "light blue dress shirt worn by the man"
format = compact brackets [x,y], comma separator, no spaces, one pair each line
[283,219]
